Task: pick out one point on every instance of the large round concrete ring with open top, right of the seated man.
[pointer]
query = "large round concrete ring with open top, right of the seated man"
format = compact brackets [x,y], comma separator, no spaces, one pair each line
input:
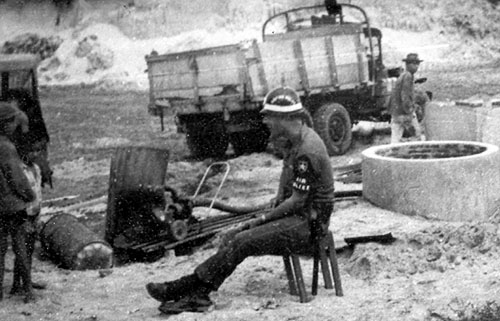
[445,180]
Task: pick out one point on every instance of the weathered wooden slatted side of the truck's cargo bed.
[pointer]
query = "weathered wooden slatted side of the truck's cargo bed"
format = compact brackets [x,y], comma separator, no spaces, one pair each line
[210,79]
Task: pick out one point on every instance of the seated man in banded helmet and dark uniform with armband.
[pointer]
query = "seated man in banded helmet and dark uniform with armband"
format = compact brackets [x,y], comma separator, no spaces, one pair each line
[301,213]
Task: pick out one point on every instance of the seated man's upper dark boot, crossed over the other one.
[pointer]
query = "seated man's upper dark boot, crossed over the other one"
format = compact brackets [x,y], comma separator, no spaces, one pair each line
[174,290]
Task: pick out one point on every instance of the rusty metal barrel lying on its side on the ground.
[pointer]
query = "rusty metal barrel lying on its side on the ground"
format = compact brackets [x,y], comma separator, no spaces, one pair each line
[71,245]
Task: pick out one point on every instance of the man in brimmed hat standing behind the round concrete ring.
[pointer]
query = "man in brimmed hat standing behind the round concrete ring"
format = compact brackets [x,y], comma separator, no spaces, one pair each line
[402,104]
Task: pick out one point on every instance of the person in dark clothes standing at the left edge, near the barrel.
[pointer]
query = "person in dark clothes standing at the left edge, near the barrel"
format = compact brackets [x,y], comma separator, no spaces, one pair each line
[15,193]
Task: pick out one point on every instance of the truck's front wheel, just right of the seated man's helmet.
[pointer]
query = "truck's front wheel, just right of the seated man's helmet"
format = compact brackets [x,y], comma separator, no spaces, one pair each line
[333,124]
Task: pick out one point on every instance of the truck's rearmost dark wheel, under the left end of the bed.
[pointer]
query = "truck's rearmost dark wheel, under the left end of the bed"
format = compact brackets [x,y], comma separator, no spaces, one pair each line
[209,143]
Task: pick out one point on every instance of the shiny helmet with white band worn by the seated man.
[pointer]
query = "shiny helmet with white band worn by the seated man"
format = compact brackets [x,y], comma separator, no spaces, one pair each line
[282,101]
